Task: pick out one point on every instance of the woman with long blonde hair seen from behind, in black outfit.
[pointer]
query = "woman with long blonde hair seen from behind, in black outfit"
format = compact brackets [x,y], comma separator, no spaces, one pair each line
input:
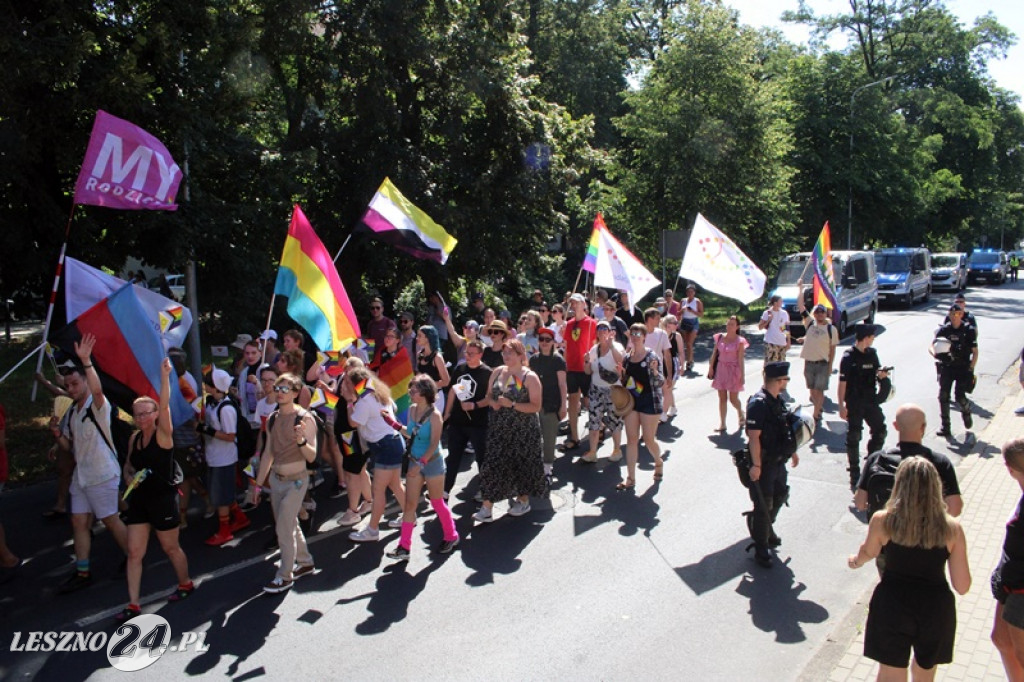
[913,607]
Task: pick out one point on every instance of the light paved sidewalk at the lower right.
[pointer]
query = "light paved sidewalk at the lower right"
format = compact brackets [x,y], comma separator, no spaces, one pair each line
[990,497]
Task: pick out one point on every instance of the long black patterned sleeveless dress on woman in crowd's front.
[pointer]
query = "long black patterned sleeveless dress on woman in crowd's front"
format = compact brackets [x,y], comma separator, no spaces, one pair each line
[515,464]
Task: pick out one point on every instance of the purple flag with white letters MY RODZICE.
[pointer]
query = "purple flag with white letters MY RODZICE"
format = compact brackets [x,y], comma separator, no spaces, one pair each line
[126,168]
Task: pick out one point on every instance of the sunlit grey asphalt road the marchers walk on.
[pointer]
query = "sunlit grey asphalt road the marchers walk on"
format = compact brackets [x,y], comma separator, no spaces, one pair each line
[593,584]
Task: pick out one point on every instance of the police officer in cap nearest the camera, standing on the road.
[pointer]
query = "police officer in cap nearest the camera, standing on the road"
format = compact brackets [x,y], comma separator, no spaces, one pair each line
[772,445]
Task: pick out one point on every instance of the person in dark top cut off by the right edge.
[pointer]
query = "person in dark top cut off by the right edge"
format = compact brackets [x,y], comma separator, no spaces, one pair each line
[1008,579]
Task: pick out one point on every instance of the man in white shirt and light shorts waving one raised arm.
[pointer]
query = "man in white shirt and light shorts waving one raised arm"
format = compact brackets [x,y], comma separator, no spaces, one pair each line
[95,483]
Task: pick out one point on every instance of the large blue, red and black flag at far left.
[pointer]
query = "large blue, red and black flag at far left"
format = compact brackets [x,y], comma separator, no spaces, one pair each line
[129,352]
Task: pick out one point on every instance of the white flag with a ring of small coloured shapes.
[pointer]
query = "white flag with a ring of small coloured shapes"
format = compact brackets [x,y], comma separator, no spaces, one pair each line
[714,262]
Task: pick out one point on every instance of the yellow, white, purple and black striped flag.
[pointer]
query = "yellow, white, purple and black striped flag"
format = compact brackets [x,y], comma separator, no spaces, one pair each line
[395,220]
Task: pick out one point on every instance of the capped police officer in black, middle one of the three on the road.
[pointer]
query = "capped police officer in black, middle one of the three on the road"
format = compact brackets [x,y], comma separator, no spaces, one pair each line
[860,374]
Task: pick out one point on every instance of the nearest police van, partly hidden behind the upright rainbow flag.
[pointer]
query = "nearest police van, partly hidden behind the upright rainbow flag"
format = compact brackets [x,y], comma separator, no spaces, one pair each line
[857,286]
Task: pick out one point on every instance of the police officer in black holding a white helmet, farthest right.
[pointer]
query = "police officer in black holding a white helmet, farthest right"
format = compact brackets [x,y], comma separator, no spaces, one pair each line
[956,367]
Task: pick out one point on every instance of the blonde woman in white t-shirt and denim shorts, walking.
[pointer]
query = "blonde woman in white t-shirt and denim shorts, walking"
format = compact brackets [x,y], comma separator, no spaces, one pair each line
[372,412]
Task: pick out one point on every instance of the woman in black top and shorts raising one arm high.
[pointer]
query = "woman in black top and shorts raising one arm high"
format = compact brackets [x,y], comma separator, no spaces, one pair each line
[153,501]
